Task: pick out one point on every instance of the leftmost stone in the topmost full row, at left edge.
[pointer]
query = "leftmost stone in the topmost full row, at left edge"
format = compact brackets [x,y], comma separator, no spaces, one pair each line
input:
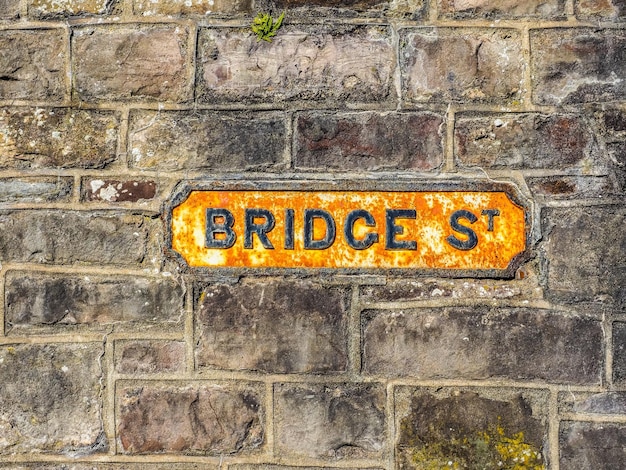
[32,64]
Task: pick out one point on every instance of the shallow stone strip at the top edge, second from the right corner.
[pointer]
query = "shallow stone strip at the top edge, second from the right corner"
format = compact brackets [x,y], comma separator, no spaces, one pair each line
[501,8]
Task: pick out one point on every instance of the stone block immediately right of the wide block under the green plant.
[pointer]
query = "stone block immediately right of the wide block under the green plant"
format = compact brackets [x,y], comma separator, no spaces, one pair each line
[440,65]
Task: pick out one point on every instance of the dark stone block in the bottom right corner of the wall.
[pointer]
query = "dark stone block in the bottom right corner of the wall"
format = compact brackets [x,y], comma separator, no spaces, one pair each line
[591,445]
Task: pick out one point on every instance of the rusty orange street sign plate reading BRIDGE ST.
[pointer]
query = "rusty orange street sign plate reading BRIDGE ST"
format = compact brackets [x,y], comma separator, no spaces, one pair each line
[349,229]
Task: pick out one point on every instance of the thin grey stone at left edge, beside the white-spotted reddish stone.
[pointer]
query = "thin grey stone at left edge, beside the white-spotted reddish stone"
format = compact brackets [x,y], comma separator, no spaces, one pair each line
[35,189]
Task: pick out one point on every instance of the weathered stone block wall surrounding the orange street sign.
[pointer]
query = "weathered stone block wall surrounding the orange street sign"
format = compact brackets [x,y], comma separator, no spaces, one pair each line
[112,355]
